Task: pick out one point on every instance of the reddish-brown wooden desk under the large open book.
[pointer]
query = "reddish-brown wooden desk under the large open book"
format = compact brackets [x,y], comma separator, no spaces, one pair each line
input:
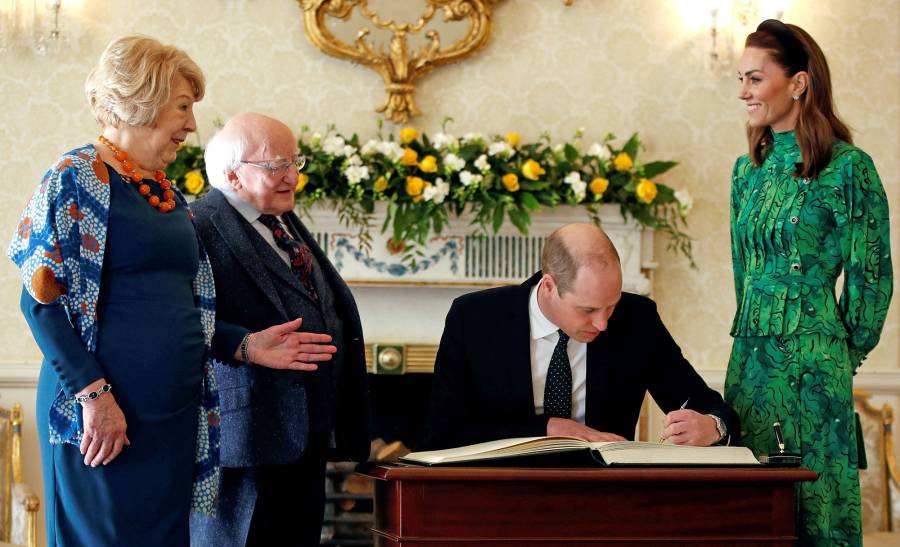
[451,506]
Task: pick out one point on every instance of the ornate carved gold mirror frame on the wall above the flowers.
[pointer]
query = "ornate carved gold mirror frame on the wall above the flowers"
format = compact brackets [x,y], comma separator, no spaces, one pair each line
[399,67]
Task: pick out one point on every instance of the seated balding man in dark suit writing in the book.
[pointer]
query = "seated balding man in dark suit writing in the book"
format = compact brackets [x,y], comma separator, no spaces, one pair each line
[566,353]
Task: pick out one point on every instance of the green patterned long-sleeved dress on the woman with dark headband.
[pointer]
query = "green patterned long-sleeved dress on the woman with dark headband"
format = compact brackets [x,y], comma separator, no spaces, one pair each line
[796,347]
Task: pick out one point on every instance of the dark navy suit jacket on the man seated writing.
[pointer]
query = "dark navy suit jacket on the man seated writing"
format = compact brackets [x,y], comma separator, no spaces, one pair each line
[482,386]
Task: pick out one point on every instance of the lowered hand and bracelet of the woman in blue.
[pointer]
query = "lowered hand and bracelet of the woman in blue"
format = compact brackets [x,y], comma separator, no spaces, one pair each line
[104,427]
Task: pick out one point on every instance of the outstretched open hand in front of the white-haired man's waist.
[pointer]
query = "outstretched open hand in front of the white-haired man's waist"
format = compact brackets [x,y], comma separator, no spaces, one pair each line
[281,347]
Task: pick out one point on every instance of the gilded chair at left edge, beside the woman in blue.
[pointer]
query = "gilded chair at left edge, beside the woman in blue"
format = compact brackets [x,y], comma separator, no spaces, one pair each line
[18,504]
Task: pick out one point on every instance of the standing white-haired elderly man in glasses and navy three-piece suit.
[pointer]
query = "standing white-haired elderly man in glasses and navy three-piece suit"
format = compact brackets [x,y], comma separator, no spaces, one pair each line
[278,427]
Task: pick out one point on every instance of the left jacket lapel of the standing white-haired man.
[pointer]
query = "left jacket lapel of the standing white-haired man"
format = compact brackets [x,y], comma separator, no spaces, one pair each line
[236,233]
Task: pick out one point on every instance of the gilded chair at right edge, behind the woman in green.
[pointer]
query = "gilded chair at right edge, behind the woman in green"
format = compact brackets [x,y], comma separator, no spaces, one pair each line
[880,482]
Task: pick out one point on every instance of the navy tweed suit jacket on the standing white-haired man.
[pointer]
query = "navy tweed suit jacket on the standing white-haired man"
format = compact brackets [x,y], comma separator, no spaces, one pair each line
[265,414]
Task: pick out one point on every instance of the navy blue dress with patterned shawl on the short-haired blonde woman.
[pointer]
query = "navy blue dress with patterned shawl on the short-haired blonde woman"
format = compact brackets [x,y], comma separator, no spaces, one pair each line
[114,289]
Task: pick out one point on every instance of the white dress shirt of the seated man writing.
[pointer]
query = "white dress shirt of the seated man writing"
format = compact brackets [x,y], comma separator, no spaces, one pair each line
[544,336]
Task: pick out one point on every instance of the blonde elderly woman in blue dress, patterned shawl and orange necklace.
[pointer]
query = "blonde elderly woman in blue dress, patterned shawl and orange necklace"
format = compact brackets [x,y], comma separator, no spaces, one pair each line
[120,298]
